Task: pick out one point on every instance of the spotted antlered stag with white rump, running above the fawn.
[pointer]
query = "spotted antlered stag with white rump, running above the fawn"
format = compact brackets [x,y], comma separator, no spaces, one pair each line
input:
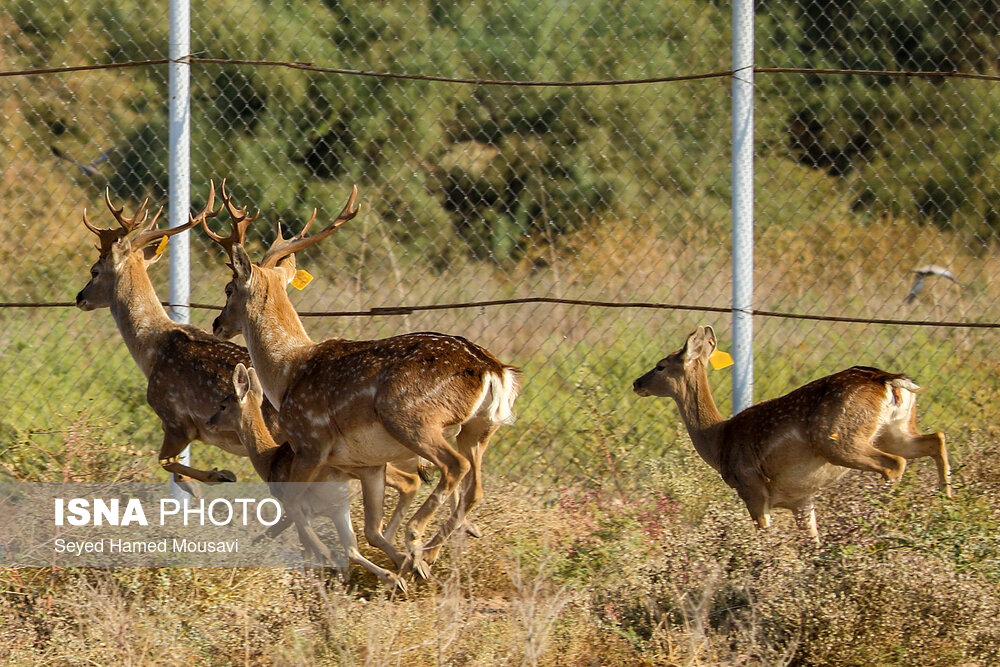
[357,405]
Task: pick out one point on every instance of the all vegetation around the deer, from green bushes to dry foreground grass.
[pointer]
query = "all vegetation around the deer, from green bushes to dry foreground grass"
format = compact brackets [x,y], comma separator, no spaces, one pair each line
[607,540]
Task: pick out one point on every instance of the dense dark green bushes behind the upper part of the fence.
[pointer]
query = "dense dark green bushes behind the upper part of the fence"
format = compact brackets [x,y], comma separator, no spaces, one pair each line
[491,169]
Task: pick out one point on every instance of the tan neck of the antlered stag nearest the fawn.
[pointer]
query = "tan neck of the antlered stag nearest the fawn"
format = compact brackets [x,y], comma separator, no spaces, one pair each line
[277,341]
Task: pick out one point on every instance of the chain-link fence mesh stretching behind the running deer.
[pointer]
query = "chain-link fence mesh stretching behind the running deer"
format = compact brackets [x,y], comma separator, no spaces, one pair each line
[609,193]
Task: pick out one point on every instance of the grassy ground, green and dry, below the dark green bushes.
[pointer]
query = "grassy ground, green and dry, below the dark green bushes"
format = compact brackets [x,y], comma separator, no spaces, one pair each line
[607,541]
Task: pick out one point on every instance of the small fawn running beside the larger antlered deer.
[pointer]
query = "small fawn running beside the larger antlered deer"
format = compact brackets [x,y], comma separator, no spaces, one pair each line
[329,495]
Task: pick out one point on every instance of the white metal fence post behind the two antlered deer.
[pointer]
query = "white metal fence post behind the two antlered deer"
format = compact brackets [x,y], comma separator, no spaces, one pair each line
[180,173]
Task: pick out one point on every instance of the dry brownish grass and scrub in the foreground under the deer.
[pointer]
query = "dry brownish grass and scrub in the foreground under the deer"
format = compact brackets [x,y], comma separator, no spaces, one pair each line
[664,569]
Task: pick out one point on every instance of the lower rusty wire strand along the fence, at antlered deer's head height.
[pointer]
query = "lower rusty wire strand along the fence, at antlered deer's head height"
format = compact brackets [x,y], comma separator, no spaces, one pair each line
[386,311]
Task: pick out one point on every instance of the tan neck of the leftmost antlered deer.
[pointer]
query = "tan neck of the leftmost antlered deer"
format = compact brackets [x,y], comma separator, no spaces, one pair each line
[140,316]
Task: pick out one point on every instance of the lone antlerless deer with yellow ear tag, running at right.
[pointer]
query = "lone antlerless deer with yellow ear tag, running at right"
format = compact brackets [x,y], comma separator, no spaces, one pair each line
[781,452]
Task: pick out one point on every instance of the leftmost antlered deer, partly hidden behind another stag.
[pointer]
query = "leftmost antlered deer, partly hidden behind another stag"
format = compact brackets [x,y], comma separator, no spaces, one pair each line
[188,371]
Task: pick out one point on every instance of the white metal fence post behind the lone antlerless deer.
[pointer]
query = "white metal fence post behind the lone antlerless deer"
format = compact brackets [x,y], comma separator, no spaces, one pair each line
[742,183]
